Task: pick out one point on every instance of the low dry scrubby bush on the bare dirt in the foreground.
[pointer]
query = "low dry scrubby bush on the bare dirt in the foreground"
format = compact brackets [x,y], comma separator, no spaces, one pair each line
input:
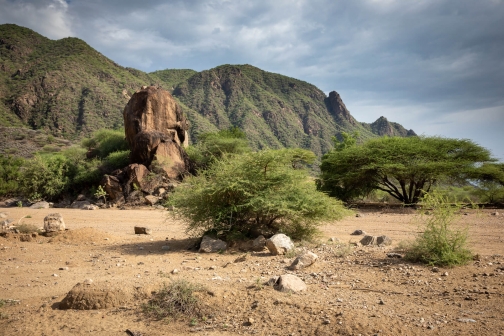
[175,300]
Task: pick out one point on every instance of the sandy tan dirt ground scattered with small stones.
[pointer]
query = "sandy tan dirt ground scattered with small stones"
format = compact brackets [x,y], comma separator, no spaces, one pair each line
[351,290]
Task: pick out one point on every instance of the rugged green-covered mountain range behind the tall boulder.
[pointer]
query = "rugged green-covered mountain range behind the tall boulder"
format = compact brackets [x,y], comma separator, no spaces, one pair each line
[68,89]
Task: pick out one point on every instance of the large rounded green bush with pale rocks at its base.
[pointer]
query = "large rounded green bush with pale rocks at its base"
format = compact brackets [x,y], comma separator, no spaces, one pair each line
[255,193]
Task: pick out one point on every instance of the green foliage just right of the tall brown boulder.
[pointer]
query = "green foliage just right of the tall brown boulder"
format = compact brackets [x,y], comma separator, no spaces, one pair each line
[213,146]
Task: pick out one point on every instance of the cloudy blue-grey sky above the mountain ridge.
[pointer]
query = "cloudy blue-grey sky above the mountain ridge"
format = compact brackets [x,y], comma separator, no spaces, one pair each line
[435,66]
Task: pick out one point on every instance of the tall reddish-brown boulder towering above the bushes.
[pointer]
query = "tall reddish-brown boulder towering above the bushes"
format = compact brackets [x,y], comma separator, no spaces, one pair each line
[156,130]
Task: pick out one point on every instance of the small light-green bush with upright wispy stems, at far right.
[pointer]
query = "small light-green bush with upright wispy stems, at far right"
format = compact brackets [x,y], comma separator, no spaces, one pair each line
[440,244]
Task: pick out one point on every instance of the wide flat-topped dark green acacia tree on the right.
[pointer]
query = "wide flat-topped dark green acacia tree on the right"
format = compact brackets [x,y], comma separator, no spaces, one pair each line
[405,168]
